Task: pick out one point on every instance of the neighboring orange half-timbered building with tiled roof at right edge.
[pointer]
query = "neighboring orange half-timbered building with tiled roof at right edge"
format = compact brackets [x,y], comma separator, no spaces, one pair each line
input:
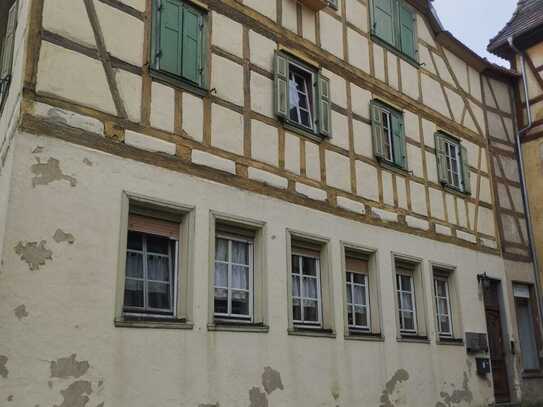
[521,42]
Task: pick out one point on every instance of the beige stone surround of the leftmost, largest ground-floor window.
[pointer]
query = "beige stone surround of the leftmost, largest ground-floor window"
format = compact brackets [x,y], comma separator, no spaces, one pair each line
[135,203]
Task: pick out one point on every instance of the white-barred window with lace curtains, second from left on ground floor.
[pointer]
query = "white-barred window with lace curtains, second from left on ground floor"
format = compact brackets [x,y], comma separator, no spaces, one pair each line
[233,277]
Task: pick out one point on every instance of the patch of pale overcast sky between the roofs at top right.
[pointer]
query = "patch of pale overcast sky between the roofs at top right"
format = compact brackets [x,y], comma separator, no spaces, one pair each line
[475,22]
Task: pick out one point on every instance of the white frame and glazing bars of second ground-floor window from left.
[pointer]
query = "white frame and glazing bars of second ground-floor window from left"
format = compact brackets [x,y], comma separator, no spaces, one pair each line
[229,316]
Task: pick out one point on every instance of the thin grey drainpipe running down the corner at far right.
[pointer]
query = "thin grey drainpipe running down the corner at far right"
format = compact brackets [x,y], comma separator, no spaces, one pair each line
[531,236]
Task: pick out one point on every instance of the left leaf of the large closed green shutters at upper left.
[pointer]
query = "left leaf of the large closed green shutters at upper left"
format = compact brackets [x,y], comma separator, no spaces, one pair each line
[169,53]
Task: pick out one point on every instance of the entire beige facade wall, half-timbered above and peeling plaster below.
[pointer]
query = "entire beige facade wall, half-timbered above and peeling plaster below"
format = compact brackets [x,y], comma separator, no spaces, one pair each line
[96,127]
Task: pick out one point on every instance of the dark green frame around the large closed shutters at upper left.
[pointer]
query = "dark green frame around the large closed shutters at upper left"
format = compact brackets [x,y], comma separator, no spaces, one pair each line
[201,88]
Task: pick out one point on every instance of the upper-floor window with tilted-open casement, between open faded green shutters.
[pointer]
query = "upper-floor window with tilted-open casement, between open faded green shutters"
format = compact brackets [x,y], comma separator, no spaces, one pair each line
[302,95]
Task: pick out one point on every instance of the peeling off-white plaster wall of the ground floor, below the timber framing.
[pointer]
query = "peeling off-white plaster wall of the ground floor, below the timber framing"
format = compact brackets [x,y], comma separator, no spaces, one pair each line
[70,300]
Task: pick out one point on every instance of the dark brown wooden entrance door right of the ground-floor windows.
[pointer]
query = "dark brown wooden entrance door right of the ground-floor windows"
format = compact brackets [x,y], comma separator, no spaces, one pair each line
[496,342]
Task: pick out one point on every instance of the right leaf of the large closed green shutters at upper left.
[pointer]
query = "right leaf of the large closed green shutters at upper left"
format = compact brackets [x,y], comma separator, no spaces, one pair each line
[192,44]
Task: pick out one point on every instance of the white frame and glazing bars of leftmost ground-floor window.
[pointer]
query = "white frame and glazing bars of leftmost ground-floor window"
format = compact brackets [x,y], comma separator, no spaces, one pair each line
[172,265]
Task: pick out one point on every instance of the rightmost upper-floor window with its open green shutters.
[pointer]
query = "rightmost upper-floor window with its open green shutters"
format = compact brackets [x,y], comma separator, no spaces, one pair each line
[452,162]
